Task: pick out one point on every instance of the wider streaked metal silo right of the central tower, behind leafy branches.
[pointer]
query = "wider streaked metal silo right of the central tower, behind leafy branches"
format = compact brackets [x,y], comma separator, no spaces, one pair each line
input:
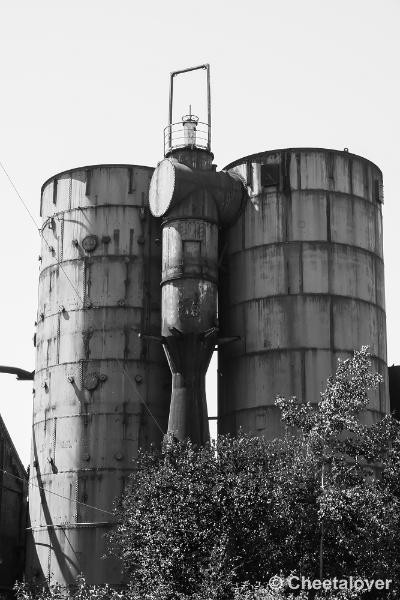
[302,283]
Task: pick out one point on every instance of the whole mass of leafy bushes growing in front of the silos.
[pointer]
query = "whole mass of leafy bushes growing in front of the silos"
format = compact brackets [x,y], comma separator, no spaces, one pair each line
[216,522]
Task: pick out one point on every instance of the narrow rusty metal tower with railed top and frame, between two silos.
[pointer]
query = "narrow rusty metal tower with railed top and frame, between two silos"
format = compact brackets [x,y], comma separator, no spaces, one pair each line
[194,202]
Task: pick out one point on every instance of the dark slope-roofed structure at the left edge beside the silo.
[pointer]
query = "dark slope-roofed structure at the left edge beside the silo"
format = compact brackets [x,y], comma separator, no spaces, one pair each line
[13,505]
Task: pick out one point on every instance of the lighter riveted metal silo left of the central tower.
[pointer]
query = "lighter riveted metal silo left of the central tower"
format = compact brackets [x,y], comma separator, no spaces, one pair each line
[100,390]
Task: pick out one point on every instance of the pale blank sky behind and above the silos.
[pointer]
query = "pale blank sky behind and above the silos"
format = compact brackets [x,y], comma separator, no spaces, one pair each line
[86,82]
